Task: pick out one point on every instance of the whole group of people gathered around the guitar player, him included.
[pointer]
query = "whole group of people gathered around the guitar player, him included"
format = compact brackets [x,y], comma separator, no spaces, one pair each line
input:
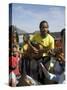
[40,47]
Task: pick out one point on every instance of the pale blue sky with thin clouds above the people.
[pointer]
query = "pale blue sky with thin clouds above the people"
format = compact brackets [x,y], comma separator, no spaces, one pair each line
[27,17]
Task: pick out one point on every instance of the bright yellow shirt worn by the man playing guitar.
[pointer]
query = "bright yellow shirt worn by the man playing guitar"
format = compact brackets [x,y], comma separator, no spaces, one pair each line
[47,41]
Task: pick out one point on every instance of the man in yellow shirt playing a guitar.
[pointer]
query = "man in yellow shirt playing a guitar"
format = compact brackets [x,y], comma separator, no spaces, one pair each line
[45,40]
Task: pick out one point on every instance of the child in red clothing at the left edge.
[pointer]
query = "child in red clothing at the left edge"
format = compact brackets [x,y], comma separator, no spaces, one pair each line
[13,66]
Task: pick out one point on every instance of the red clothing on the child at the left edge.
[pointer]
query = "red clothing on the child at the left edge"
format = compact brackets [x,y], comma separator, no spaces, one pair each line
[13,63]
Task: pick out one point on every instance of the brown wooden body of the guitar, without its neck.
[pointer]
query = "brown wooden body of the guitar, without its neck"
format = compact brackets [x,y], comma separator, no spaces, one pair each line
[29,52]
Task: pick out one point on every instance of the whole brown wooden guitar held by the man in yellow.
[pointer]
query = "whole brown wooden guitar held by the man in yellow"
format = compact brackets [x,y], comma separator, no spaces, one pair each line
[35,50]
